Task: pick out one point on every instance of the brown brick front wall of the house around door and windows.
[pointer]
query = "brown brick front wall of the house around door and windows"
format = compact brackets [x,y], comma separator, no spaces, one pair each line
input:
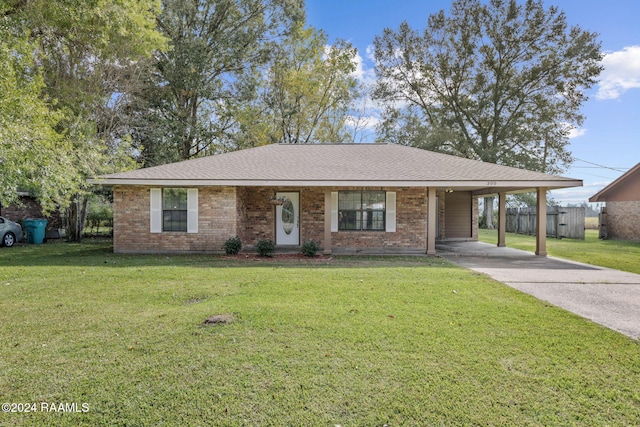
[224,212]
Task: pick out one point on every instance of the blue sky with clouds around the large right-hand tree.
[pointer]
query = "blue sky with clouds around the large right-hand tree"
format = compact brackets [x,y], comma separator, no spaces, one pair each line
[608,142]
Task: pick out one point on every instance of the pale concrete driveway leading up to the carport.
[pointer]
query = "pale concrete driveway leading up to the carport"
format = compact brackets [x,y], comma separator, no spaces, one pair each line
[608,297]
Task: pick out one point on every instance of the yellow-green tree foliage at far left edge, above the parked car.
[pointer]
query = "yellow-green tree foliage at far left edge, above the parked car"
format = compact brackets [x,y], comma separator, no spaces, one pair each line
[33,156]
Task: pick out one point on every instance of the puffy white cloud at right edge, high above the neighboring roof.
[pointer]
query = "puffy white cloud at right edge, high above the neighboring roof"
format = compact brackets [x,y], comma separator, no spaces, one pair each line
[621,73]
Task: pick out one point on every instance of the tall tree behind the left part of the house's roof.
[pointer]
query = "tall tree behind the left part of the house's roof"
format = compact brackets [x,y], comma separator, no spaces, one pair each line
[192,90]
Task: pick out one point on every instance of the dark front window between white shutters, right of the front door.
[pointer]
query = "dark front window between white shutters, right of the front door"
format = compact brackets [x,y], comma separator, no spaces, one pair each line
[361,210]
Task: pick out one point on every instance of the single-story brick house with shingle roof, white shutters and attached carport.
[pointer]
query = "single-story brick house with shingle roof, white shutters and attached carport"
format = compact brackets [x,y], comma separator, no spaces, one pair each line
[347,197]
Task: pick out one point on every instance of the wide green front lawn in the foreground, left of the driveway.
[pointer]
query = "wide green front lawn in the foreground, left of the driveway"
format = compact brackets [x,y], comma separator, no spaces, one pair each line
[348,341]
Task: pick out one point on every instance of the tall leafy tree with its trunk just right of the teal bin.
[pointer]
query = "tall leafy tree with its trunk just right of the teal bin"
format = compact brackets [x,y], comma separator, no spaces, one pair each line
[82,50]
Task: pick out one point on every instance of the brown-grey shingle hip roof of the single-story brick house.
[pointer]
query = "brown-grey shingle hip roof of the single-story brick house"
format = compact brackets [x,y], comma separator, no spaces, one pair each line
[334,164]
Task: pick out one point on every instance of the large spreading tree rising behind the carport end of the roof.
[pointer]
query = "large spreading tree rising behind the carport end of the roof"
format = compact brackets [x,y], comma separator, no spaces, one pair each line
[500,82]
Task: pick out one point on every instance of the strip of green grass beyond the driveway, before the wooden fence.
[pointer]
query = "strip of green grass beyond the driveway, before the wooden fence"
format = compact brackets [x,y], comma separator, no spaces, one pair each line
[616,254]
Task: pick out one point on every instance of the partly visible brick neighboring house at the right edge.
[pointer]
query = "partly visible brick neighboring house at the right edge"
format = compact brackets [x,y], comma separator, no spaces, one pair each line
[621,216]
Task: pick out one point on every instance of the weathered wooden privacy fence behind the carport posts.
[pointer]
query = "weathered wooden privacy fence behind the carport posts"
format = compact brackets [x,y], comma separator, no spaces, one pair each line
[561,222]
